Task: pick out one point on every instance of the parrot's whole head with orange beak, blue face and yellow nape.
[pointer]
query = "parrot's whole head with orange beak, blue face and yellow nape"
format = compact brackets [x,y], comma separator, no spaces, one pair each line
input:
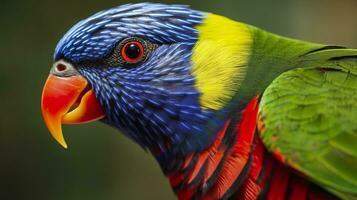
[161,74]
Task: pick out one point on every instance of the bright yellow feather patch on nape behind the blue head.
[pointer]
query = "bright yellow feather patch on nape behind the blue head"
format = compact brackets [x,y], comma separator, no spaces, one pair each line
[219,59]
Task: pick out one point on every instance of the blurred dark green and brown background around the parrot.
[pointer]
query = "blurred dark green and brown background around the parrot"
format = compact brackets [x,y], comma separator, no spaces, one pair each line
[100,163]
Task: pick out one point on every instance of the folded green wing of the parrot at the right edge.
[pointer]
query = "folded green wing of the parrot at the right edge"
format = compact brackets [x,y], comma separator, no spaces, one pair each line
[309,116]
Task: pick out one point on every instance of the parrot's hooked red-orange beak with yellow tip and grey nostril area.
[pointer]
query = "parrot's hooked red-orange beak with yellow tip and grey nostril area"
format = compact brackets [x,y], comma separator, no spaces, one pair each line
[63,90]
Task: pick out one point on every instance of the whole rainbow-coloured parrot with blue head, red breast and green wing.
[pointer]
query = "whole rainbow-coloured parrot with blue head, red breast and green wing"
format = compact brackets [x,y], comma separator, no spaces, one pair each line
[228,110]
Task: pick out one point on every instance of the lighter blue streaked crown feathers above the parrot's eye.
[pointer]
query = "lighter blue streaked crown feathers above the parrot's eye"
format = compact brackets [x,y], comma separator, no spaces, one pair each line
[96,36]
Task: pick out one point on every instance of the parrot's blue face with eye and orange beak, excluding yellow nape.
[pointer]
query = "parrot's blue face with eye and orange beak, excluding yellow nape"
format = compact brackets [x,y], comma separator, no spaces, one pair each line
[131,67]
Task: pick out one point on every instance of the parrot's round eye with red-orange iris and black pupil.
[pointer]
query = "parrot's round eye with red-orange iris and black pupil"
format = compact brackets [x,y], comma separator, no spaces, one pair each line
[132,52]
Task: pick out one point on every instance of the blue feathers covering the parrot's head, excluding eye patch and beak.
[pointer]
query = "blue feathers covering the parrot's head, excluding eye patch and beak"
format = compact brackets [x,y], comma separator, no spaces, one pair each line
[155,103]
